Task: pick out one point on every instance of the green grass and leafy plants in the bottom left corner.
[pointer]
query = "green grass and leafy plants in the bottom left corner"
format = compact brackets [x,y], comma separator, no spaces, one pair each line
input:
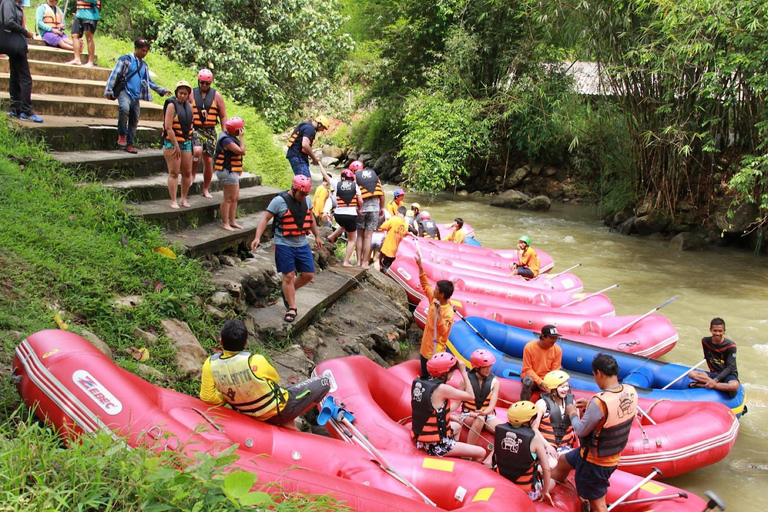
[99,474]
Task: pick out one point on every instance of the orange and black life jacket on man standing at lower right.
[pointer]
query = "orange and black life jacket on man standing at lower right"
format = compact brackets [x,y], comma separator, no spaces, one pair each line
[603,445]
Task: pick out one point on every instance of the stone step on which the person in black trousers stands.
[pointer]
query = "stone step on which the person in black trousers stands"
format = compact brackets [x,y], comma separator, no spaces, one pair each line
[65,133]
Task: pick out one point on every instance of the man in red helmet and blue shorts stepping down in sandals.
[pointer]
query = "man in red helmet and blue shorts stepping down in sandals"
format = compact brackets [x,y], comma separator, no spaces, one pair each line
[293,221]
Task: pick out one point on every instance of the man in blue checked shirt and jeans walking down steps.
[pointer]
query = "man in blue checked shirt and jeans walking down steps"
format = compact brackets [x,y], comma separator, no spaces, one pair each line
[128,83]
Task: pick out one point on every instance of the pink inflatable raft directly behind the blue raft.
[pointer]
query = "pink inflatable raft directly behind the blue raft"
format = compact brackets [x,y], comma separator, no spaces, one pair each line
[650,336]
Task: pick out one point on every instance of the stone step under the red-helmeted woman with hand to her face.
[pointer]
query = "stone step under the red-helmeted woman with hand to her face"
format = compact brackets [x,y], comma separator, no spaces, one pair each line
[211,238]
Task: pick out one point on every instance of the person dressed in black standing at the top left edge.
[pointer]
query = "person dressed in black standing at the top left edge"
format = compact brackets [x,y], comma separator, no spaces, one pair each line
[13,42]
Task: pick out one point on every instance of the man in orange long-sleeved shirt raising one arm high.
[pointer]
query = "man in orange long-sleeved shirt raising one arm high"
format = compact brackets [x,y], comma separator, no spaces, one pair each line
[439,317]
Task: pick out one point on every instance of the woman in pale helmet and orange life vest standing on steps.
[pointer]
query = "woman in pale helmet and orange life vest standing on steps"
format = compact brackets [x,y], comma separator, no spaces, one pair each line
[177,142]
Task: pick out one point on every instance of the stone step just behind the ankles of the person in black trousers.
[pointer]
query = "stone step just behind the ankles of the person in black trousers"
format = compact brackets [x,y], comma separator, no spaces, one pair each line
[71,106]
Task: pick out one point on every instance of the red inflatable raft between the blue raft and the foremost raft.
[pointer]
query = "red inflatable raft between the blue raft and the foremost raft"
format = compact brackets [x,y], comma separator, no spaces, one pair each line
[684,437]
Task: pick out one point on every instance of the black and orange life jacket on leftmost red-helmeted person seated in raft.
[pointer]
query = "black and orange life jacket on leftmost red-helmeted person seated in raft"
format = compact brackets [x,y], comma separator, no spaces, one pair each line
[428,425]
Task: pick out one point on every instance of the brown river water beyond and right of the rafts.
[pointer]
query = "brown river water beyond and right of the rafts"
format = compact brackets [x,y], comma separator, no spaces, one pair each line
[729,283]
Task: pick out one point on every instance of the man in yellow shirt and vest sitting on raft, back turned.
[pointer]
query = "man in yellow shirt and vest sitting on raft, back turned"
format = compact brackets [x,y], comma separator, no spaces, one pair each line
[250,385]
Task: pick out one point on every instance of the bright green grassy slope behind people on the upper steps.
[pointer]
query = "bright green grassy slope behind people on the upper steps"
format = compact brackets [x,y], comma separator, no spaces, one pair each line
[264,156]
